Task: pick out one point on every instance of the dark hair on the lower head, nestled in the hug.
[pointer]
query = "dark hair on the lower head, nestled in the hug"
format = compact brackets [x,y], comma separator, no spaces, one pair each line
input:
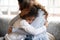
[33,11]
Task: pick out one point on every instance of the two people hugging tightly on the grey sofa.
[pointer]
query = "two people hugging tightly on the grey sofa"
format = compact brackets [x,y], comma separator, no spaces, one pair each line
[30,24]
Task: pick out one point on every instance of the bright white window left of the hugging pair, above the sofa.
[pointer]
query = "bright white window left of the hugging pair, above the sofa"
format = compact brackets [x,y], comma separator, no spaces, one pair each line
[7,6]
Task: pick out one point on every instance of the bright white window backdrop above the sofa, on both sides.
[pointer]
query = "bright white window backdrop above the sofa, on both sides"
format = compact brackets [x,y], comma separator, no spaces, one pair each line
[8,7]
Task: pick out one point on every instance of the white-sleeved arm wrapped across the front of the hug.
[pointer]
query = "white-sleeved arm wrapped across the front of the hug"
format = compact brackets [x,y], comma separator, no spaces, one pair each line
[30,29]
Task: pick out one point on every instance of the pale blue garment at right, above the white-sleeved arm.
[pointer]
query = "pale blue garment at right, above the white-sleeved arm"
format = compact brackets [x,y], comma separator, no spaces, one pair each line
[39,22]
